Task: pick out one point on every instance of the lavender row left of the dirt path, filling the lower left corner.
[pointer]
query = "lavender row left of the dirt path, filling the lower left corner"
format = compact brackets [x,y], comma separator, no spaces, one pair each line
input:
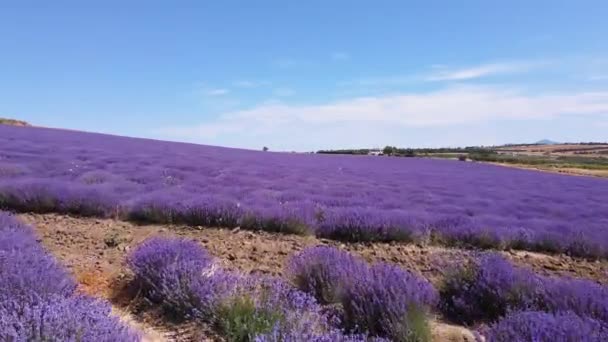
[39,300]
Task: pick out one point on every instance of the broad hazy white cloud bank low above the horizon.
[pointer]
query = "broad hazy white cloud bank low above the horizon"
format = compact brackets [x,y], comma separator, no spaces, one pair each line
[352,118]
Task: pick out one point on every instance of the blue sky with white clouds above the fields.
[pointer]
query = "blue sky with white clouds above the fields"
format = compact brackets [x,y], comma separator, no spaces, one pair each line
[304,75]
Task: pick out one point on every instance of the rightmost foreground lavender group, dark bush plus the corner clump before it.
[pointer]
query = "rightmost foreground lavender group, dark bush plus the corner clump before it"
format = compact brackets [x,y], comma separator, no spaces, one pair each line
[515,304]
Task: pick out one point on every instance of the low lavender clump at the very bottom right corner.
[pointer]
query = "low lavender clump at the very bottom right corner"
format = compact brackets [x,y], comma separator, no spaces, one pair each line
[546,327]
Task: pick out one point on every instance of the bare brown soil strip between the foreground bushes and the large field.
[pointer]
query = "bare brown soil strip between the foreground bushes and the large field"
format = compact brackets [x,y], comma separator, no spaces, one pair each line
[94,251]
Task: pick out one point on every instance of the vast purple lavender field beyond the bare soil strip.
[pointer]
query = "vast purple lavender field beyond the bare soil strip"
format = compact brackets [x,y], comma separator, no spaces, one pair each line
[342,197]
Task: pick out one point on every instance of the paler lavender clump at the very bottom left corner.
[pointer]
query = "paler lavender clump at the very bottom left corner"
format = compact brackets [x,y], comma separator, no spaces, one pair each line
[76,318]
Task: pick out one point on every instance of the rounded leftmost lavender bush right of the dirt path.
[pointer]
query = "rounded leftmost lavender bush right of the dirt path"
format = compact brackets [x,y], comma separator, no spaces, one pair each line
[172,272]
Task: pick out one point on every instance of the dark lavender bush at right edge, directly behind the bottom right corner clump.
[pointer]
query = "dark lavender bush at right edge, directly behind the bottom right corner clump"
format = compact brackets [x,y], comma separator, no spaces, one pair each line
[491,287]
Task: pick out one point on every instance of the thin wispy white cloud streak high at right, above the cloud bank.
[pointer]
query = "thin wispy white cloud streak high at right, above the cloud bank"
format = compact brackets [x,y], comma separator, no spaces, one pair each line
[484,70]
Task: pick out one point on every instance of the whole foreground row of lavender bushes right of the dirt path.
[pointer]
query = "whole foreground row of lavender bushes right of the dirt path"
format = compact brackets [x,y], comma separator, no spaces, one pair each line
[339,297]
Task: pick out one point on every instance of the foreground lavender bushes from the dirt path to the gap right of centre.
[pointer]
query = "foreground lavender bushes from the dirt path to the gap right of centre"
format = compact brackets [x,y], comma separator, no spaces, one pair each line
[183,278]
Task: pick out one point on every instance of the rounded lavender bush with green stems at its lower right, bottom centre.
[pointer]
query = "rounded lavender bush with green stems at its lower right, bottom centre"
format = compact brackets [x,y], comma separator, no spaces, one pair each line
[387,301]
